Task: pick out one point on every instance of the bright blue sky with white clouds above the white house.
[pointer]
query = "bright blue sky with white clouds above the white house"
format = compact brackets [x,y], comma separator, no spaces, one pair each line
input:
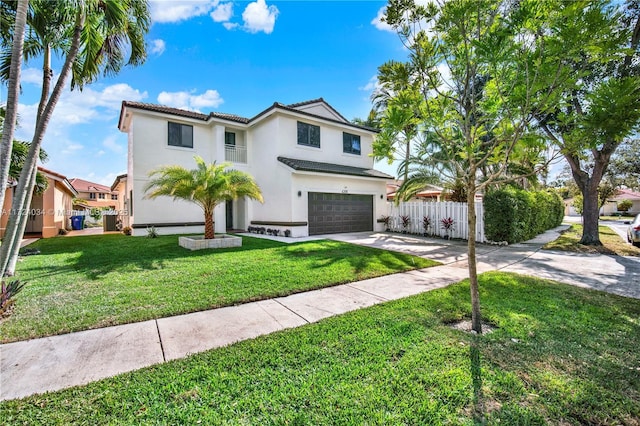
[224,56]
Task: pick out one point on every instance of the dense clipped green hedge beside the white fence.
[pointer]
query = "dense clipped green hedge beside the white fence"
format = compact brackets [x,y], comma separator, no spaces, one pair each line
[515,215]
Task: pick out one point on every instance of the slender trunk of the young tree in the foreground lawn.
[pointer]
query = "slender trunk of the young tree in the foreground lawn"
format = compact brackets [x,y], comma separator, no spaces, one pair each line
[476,318]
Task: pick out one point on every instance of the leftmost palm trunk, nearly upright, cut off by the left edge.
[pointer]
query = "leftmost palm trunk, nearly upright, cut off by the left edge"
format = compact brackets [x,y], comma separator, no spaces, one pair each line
[13,92]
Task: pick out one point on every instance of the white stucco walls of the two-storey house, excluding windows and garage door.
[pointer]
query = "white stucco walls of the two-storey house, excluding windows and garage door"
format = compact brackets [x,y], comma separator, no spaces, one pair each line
[273,135]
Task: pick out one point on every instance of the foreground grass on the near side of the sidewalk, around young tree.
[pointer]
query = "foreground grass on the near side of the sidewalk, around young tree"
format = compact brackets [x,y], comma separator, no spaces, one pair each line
[560,355]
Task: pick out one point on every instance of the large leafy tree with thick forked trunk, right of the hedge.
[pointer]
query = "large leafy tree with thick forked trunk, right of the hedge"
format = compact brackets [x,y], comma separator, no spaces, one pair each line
[598,107]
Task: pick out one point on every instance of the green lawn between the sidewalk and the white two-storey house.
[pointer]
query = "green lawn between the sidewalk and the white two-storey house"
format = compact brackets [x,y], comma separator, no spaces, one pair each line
[78,283]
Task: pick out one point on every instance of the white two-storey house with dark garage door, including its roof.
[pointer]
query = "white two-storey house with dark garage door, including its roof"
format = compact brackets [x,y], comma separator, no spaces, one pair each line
[313,166]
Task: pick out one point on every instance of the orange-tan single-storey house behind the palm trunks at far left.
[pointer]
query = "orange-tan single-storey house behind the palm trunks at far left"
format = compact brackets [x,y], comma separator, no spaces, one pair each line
[50,211]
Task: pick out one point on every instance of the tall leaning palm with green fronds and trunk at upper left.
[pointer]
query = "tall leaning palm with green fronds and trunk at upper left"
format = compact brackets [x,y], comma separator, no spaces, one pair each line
[94,38]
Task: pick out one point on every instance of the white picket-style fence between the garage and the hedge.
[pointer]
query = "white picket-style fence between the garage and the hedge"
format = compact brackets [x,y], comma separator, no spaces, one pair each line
[436,211]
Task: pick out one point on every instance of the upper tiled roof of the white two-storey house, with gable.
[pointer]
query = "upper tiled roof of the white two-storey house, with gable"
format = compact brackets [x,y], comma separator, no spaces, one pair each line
[243,120]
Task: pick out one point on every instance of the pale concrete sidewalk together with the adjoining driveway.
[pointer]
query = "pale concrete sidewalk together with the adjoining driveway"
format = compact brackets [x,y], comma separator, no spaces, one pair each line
[58,362]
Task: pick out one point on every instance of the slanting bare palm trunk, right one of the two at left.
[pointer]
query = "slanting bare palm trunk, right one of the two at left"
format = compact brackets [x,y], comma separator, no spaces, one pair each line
[24,191]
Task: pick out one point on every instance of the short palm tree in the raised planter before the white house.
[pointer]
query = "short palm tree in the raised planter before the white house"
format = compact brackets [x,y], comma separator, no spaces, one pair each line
[207,186]
